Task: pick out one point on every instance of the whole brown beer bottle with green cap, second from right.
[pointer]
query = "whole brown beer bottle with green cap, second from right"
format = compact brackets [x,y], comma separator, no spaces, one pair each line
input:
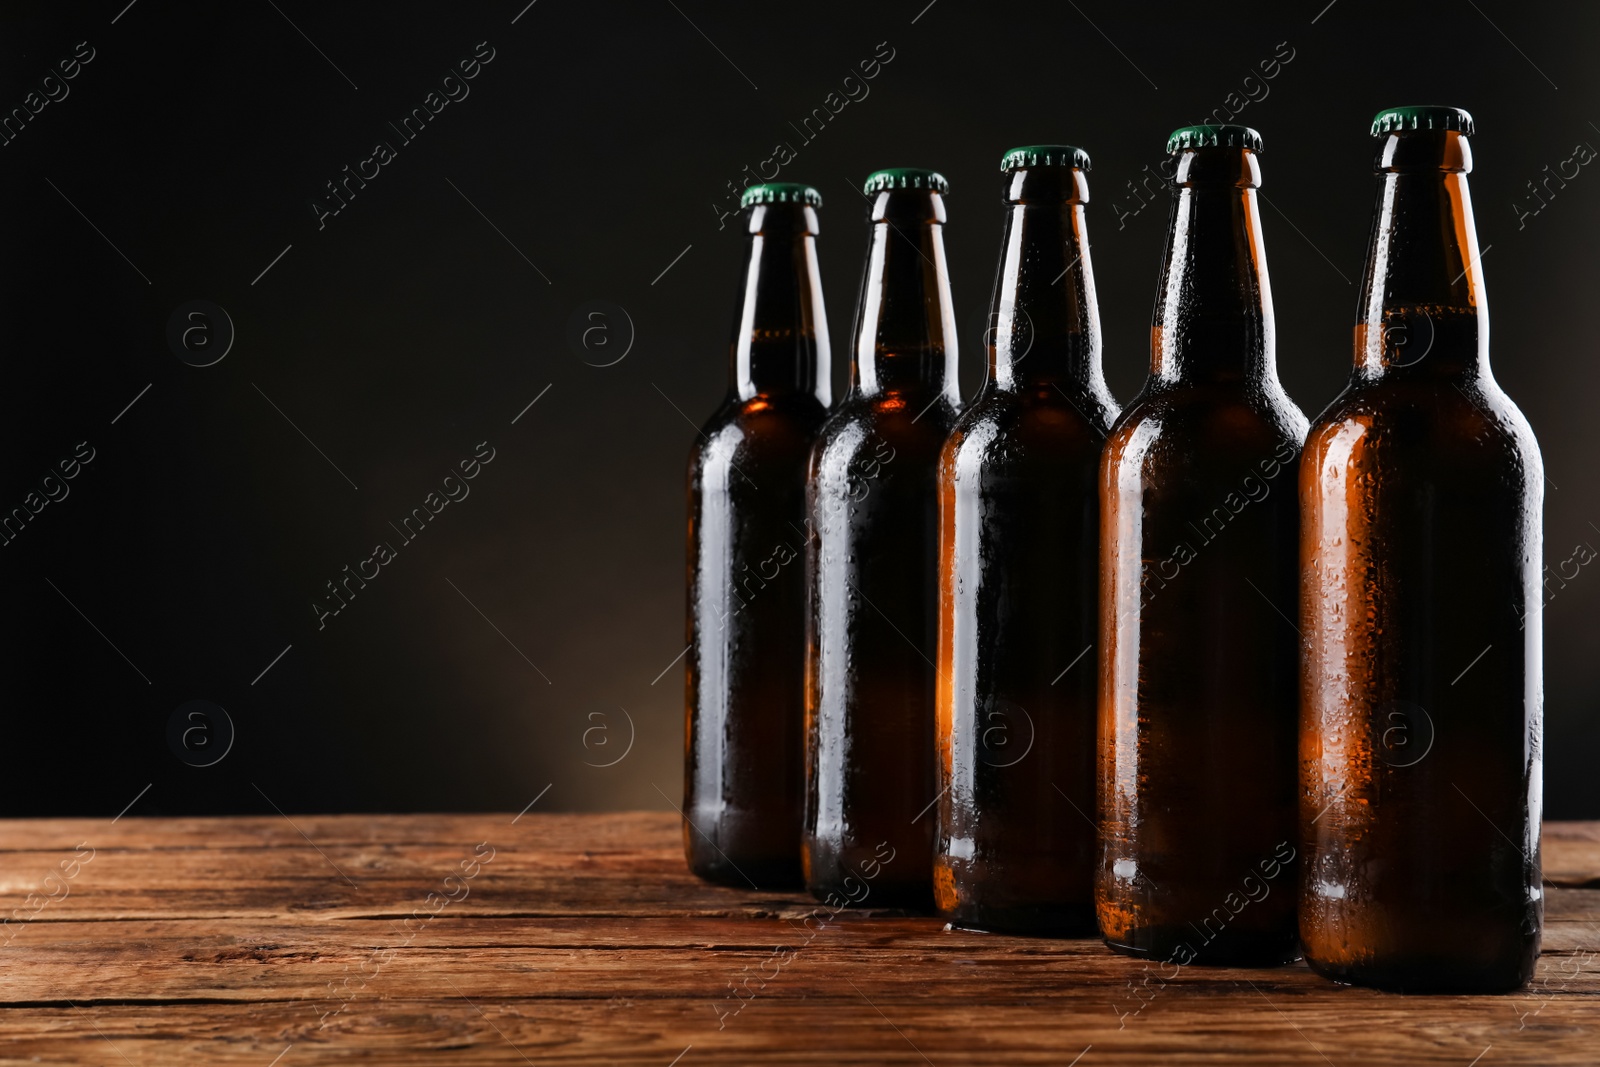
[1199,557]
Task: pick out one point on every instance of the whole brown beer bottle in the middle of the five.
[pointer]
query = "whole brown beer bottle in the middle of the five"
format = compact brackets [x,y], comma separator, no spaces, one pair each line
[1018,581]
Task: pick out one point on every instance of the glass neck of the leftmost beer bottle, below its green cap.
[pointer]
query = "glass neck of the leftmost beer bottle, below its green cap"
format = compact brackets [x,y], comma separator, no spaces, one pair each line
[780,342]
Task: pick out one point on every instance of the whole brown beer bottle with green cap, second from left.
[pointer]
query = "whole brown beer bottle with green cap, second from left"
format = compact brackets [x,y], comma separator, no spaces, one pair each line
[873,564]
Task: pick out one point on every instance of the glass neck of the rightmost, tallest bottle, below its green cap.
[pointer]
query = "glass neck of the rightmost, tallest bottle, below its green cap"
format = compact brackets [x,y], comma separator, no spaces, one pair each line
[1423,306]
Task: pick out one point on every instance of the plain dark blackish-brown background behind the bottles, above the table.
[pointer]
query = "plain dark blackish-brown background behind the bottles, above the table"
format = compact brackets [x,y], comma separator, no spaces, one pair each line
[534,629]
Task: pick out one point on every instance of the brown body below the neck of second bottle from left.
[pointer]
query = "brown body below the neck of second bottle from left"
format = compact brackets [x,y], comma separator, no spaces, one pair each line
[874,620]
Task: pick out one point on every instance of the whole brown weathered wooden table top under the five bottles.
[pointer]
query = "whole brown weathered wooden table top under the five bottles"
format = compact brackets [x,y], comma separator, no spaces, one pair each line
[583,940]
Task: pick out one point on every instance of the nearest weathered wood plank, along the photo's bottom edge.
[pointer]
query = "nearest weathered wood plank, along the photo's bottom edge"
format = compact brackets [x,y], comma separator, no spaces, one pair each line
[871,1026]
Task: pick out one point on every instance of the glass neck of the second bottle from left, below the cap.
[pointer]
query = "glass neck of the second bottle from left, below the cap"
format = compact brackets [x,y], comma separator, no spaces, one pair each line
[906,327]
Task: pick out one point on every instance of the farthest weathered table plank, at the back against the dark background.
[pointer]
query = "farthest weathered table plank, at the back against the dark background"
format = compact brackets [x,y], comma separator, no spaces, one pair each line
[543,866]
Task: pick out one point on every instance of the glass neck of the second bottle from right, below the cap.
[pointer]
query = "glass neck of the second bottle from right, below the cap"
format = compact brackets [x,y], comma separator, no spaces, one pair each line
[1214,324]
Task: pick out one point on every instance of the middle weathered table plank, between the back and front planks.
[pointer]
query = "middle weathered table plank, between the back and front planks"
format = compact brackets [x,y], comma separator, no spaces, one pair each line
[492,957]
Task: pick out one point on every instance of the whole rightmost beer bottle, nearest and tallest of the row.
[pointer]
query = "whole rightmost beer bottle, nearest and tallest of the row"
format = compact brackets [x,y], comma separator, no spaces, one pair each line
[1422,724]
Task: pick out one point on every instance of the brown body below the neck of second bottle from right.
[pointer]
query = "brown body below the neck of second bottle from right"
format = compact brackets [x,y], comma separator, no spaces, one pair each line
[1199,681]
